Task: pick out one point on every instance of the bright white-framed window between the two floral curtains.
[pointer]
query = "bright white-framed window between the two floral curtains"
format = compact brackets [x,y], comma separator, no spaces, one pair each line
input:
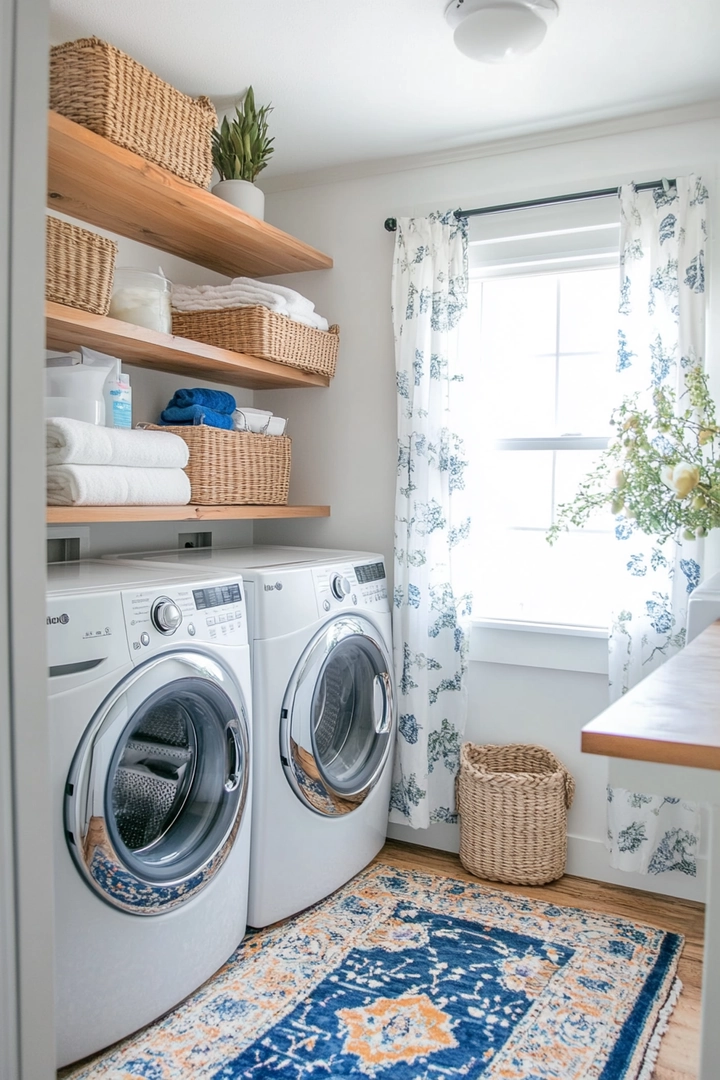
[544,302]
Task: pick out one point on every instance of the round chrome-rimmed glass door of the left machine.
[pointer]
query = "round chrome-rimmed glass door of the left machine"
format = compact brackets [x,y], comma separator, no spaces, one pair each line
[157,790]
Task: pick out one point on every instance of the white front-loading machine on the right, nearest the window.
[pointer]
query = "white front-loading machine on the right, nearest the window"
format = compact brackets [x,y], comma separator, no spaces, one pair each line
[324,717]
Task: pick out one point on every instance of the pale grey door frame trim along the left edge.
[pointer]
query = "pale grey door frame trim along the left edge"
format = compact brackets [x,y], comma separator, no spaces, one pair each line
[28,1038]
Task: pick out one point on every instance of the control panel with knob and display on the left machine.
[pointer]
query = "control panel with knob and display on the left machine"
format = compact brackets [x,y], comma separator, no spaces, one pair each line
[183,614]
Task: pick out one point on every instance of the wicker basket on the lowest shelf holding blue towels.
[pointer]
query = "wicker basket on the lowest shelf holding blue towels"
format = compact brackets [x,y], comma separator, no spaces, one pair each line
[236,468]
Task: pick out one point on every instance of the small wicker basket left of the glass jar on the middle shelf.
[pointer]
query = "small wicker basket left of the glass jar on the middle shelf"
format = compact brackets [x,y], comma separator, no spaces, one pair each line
[79,267]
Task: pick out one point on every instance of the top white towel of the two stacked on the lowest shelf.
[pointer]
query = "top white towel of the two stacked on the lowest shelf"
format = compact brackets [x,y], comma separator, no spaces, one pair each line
[75,442]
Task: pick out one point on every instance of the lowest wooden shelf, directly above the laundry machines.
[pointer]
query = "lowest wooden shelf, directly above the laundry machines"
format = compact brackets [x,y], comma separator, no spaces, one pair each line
[80,516]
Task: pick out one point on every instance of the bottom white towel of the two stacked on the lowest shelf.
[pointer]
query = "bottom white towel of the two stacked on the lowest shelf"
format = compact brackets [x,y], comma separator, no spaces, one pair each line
[116,487]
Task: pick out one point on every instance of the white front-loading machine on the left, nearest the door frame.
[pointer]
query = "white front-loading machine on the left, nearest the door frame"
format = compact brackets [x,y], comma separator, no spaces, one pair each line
[151,739]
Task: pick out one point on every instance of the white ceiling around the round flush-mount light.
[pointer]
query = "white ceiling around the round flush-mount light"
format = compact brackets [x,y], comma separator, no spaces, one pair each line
[356,80]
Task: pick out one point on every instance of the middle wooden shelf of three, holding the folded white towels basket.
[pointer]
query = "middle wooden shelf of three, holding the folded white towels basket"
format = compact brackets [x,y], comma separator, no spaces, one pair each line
[70,329]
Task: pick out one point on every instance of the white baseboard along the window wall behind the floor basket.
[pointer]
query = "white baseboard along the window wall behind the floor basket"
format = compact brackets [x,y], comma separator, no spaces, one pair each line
[587,858]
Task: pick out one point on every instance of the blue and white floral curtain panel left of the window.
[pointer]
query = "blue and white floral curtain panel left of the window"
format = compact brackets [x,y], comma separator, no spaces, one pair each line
[432,522]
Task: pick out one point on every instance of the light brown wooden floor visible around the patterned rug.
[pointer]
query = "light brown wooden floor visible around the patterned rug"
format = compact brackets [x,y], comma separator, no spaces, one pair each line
[680,1052]
